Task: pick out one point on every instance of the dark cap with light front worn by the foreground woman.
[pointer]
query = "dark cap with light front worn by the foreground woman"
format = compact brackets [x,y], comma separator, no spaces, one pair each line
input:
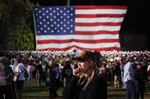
[85,55]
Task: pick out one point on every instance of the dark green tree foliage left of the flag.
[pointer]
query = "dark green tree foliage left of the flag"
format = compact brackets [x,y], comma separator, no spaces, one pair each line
[16,25]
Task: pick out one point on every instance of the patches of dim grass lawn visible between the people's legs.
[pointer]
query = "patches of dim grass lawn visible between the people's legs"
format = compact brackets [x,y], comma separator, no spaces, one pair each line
[33,91]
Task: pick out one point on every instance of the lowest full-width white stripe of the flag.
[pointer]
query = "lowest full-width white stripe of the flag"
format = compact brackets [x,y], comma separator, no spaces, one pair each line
[83,45]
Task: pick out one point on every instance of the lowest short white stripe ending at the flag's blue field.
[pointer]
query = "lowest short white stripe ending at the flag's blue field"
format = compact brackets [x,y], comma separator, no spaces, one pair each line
[97,28]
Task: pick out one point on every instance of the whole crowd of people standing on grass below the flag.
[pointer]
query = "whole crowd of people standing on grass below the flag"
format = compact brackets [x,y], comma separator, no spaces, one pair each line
[80,76]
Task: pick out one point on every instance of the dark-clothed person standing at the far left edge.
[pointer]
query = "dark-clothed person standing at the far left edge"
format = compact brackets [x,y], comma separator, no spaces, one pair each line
[6,78]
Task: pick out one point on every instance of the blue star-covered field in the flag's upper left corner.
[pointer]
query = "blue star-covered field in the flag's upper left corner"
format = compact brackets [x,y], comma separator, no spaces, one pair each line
[55,20]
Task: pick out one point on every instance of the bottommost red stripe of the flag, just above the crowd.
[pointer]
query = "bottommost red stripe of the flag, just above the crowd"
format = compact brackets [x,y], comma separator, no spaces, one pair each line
[95,49]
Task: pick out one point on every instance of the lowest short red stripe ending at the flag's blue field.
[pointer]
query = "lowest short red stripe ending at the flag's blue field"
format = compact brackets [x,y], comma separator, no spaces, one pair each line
[96,32]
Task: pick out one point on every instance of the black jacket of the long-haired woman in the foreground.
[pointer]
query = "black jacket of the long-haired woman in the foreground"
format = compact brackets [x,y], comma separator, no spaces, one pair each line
[96,89]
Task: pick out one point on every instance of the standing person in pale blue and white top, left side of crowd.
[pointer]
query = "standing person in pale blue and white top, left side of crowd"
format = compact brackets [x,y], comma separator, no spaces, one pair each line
[20,72]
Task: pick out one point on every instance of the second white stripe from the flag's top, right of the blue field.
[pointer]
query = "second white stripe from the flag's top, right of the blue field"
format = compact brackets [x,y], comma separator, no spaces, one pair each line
[92,20]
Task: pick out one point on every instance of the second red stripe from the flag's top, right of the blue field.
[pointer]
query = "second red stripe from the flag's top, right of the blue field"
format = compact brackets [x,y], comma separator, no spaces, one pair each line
[98,15]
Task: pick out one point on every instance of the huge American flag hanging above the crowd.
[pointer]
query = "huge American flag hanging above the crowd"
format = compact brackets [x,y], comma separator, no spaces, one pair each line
[82,27]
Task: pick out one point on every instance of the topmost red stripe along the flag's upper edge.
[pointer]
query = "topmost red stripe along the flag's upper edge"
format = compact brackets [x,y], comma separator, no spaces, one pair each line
[101,7]
